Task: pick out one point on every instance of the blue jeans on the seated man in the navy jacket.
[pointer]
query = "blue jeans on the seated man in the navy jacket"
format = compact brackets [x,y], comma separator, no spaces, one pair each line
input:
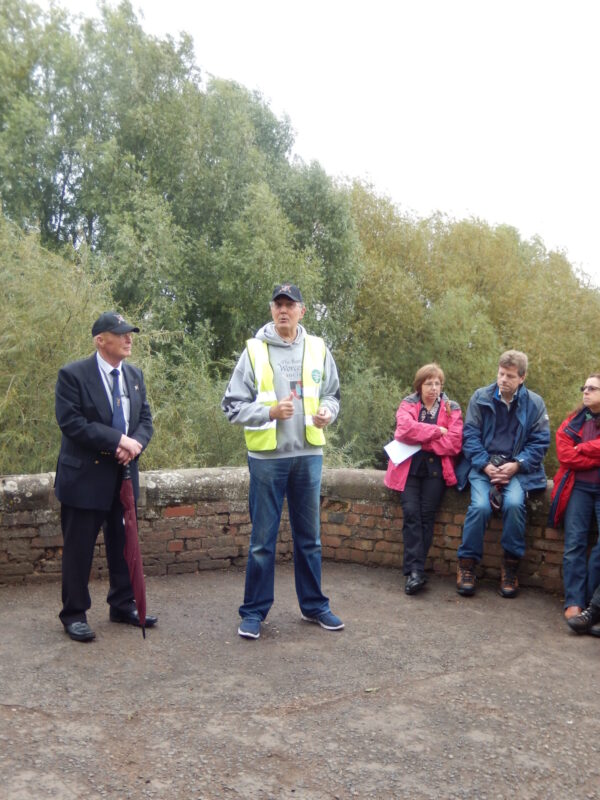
[480,511]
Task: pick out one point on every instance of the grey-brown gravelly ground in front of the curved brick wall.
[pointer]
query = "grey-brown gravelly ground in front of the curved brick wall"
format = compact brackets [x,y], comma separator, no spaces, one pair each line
[432,696]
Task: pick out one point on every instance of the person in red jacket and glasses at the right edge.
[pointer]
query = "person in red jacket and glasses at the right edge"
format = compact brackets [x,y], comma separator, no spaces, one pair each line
[576,497]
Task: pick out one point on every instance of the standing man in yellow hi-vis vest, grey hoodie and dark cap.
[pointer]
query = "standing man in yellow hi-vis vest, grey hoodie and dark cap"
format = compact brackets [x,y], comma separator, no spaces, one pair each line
[284,390]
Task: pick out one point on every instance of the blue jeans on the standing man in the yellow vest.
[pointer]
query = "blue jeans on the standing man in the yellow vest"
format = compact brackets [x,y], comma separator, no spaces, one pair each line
[299,479]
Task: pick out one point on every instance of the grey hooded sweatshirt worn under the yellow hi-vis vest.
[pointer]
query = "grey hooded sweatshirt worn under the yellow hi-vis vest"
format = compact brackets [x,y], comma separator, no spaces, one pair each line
[240,405]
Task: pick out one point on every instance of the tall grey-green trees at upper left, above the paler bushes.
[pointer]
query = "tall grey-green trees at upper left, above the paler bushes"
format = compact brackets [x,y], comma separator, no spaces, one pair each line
[107,136]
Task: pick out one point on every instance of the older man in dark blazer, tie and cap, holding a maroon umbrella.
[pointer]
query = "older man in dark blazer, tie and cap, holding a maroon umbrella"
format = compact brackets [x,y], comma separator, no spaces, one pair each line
[105,420]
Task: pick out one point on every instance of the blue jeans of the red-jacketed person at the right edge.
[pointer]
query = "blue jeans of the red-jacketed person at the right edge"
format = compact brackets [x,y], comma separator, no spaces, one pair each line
[580,579]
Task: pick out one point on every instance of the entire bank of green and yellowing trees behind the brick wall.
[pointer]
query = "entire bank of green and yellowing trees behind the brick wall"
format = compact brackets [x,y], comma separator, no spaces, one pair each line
[175,200]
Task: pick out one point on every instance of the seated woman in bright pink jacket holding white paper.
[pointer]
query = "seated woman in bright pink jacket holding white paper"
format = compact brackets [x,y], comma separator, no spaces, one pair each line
[429,419]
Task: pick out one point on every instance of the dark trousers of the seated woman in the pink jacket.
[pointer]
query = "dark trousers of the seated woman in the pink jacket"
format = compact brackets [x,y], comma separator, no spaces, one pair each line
[420,501]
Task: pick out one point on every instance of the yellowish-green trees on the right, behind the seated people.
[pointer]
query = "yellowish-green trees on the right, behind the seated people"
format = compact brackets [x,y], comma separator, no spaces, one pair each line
[460,293]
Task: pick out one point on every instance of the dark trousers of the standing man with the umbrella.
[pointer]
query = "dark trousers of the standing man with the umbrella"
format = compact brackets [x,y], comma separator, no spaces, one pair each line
[80,529]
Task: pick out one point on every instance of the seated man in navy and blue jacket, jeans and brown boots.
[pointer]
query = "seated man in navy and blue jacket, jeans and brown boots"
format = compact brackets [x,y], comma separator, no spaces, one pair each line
[505,438]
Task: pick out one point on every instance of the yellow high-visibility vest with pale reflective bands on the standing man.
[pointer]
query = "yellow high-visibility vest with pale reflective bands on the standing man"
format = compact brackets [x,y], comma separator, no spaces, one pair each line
[264,437]
